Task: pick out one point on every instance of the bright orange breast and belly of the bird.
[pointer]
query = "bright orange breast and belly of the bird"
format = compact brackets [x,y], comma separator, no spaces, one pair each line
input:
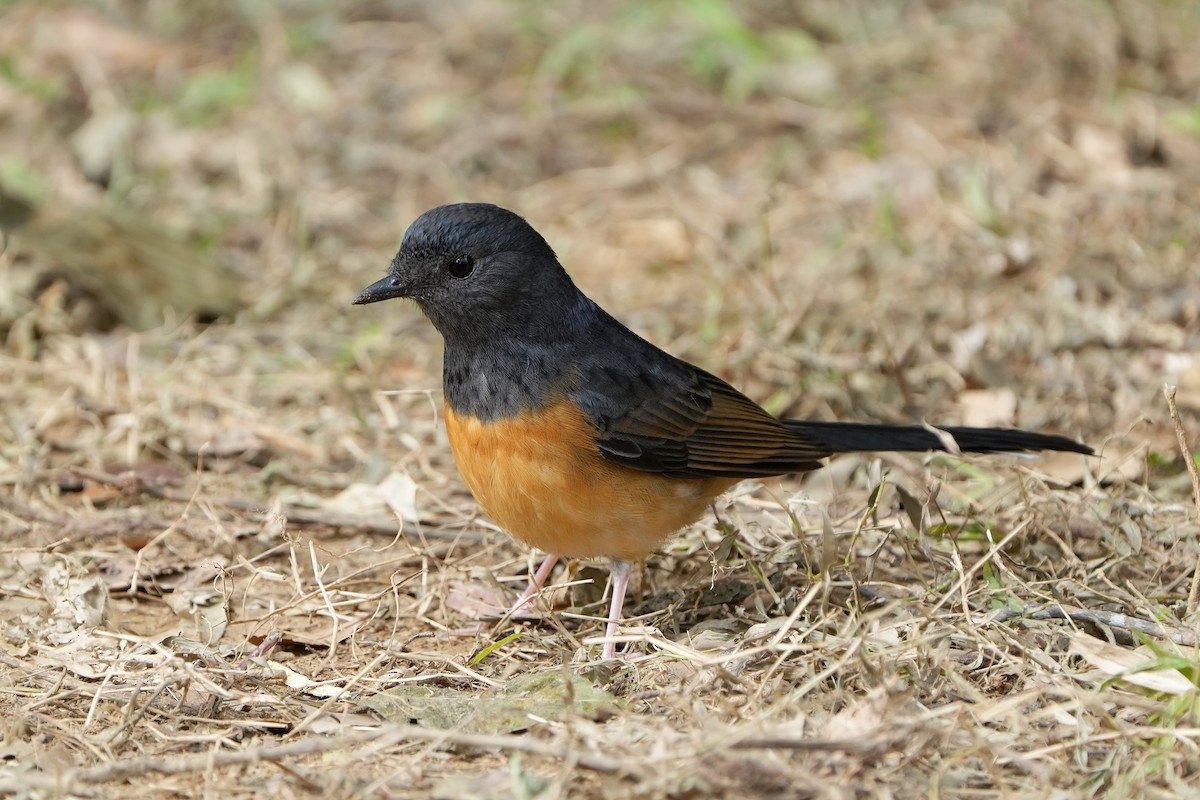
[541,477]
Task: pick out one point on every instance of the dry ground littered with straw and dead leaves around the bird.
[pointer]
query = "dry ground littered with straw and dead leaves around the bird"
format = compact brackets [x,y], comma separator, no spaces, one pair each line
[238,561]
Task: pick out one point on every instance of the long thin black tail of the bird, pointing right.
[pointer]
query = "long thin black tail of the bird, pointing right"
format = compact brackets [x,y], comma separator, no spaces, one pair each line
[860,437]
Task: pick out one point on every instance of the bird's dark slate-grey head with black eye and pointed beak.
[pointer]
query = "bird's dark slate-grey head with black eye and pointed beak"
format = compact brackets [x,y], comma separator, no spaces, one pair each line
[479,272]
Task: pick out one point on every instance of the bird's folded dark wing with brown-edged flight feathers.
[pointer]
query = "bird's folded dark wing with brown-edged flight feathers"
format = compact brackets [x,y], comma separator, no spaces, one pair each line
[677,420]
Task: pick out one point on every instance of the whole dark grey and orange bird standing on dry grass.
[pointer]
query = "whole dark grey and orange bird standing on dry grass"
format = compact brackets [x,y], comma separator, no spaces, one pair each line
[578,436]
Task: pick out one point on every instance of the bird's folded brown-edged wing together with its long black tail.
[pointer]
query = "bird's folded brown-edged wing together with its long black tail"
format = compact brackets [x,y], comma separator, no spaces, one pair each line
[658,414]
